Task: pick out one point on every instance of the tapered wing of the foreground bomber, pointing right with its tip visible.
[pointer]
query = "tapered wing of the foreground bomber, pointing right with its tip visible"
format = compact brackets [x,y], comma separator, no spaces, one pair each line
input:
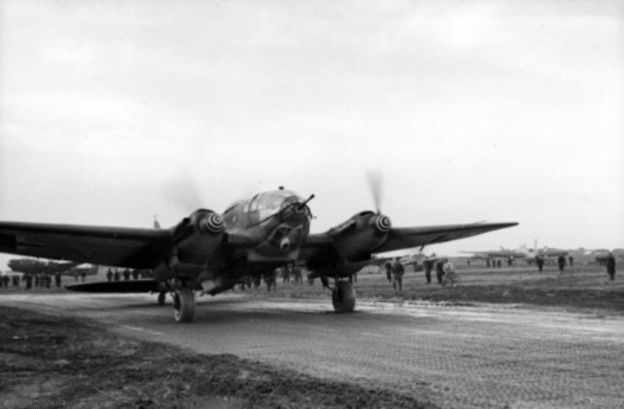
[405,237]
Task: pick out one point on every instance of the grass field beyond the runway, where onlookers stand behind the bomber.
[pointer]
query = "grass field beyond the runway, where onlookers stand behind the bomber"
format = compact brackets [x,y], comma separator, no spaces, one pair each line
[585,286]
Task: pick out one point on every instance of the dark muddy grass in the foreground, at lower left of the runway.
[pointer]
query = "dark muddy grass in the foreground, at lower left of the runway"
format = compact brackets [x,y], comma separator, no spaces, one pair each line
[51,362]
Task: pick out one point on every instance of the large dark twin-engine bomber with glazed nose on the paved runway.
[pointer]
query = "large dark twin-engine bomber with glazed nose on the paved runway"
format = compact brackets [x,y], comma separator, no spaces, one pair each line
[252,237]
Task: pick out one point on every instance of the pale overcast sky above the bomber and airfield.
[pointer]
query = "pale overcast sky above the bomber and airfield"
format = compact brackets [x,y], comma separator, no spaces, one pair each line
[487,110]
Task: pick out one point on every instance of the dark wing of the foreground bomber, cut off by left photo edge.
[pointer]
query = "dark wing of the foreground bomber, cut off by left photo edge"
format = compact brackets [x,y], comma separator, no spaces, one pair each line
[114,246]
